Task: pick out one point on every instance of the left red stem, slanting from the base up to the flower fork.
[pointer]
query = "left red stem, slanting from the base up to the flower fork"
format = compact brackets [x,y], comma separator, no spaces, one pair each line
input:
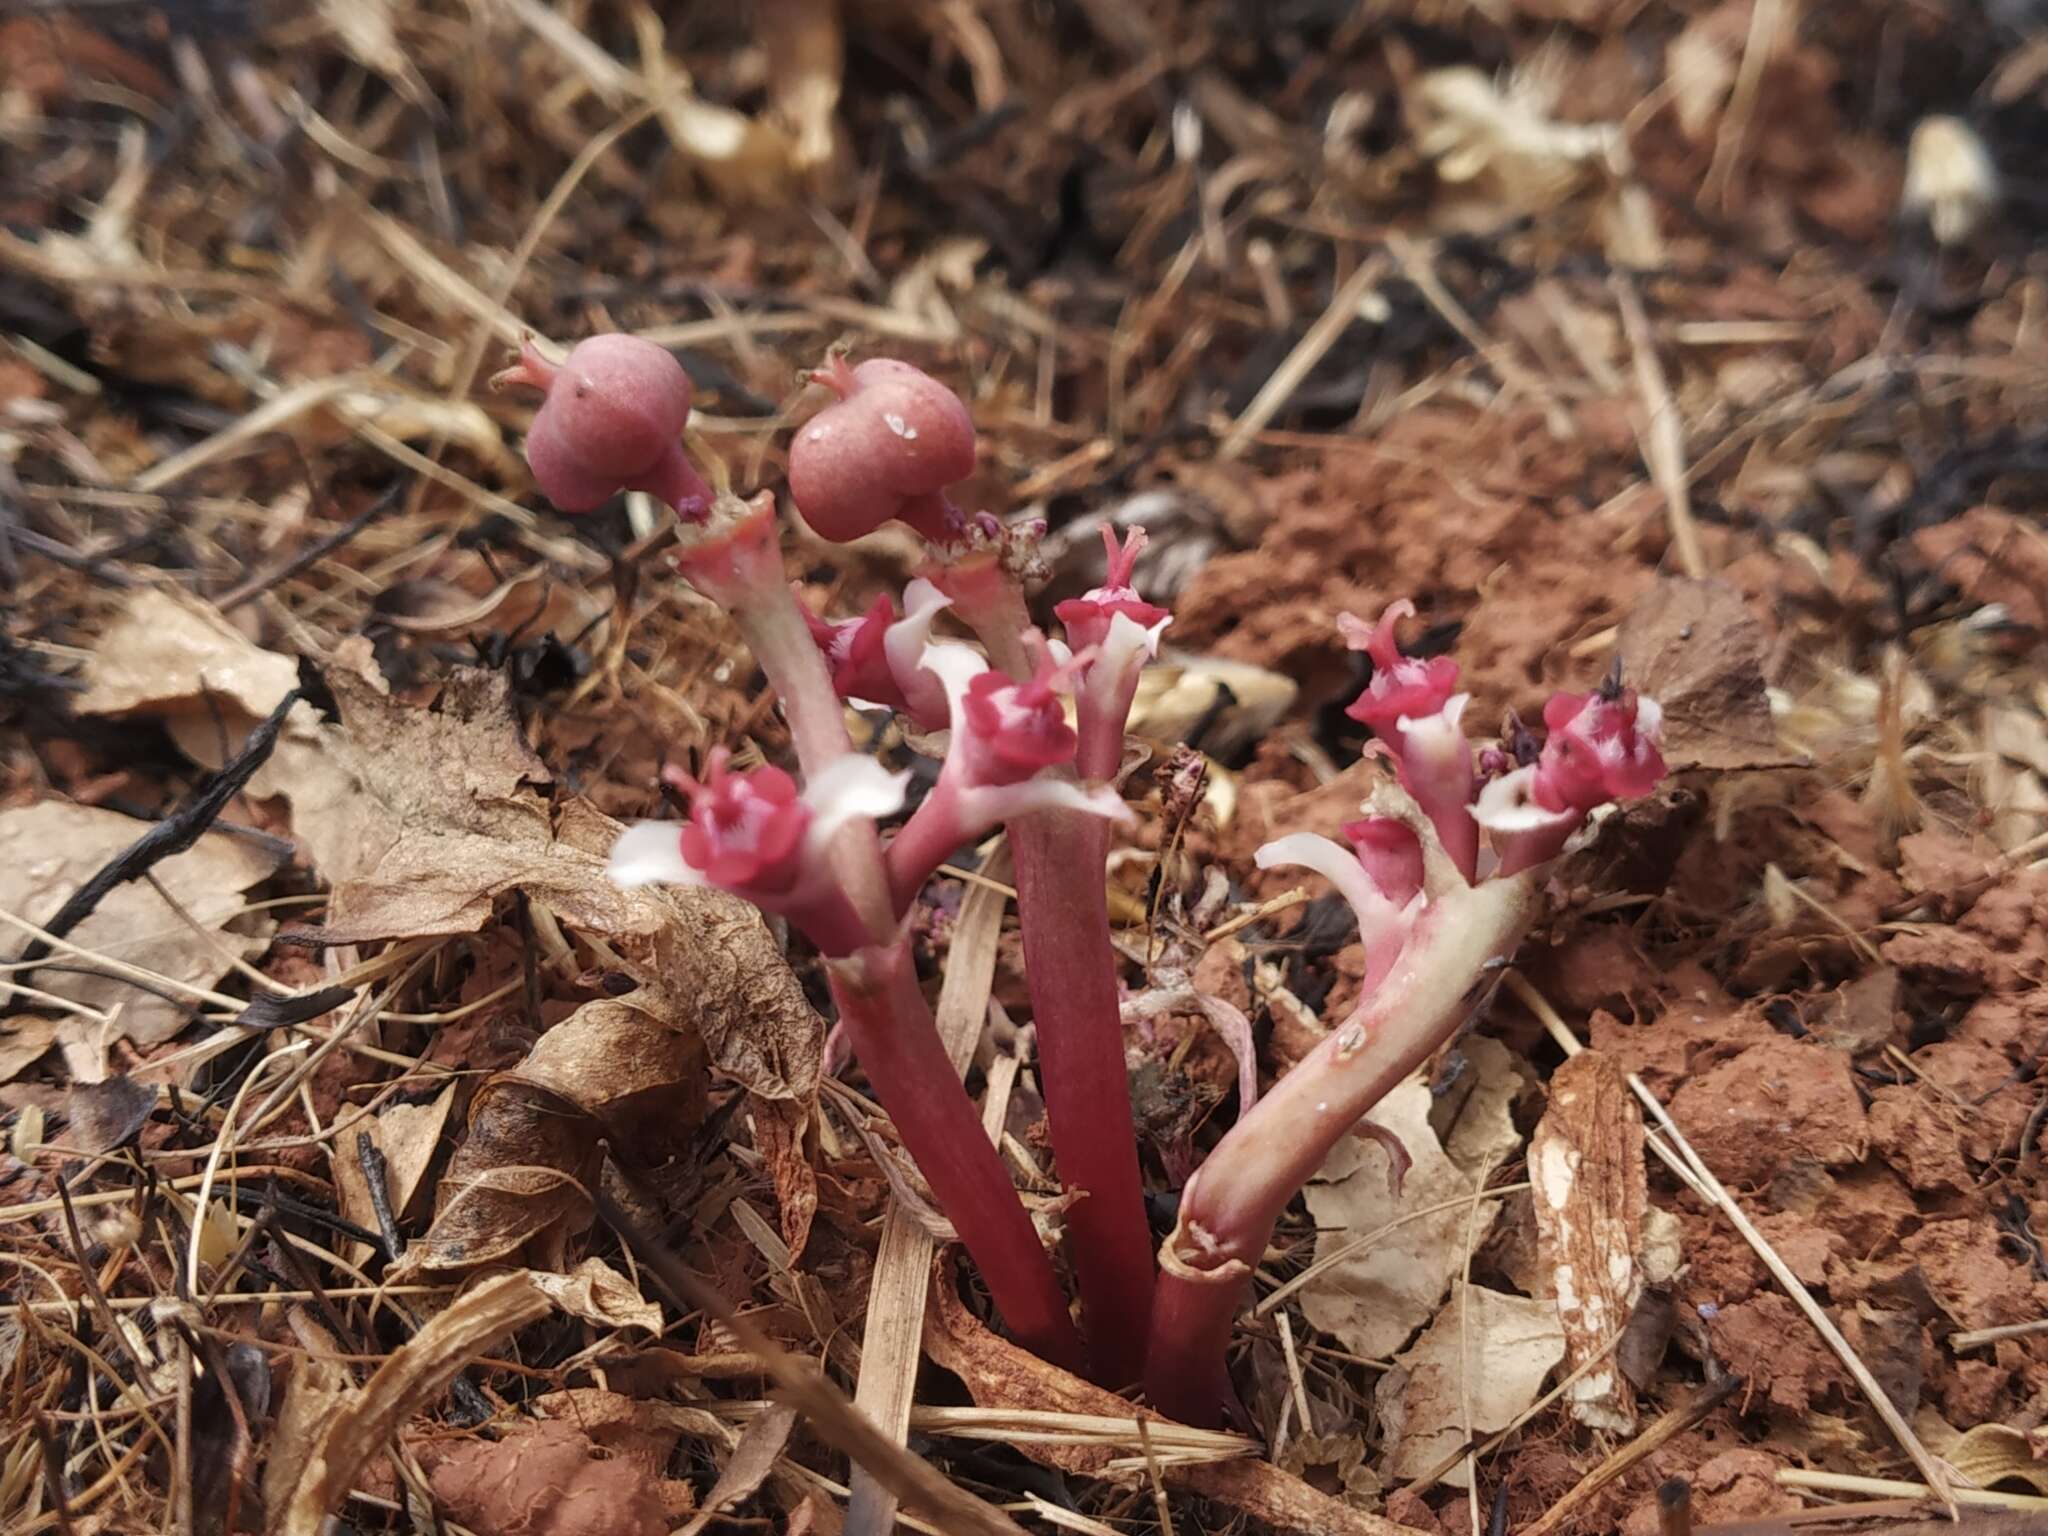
[906,1062]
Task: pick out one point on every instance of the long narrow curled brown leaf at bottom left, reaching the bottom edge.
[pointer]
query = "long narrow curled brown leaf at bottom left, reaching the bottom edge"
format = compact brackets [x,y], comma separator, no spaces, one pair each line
[407,1383]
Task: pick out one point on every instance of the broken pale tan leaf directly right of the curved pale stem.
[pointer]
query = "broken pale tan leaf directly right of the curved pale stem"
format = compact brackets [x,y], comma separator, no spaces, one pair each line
[1377,1297]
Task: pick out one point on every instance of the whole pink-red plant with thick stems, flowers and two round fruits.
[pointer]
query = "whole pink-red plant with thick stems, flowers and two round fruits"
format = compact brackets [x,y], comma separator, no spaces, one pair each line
[1443,873]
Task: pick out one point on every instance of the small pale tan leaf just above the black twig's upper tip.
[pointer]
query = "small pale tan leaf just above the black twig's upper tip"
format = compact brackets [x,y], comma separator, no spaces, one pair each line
[171,654]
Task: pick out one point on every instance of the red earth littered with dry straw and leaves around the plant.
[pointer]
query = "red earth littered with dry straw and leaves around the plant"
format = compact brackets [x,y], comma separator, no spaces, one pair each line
[251,288]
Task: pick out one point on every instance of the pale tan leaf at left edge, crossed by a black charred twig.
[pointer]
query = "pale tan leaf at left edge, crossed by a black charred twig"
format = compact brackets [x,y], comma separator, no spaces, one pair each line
[48,851]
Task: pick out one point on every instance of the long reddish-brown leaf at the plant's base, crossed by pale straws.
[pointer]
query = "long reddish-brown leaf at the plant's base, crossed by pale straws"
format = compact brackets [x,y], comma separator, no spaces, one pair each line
[1002,1375]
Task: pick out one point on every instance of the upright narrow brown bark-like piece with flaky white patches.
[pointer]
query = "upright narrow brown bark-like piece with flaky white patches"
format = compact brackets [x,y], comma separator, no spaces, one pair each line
[1586,1168]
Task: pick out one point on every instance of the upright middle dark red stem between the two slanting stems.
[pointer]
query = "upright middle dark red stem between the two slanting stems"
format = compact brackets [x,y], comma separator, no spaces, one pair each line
[1072,974]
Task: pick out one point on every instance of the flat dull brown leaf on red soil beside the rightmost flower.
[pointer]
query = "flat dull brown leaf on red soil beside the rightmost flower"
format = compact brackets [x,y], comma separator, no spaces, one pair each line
[1697,650]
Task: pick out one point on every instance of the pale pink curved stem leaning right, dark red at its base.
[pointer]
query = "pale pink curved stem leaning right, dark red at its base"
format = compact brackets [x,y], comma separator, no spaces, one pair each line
[1234,1201]
